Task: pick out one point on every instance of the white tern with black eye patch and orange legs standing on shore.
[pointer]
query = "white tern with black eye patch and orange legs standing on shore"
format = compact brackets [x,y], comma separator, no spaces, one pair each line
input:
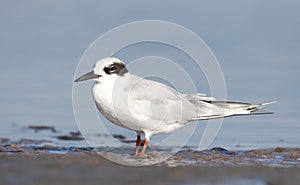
[149,107]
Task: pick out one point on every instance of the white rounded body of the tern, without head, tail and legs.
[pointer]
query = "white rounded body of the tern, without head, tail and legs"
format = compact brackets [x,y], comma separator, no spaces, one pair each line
[140,105]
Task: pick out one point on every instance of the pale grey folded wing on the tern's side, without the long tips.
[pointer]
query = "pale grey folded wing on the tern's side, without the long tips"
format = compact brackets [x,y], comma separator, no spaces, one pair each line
[150,99]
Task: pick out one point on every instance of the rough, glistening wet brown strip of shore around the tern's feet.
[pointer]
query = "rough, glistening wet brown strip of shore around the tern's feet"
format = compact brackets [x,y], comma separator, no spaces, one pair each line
[160,156]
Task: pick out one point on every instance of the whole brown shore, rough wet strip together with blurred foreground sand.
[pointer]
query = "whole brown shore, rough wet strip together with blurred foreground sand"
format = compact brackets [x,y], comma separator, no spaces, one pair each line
[33,162]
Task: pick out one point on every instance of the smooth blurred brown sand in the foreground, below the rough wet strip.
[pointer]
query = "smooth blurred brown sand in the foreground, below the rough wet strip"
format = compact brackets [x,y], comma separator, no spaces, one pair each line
[93,169]
